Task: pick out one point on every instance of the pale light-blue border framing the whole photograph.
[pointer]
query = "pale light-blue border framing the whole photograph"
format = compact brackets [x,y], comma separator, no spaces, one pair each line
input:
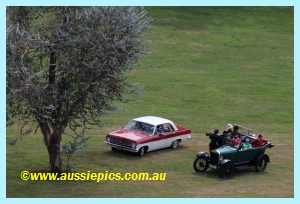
[5,3]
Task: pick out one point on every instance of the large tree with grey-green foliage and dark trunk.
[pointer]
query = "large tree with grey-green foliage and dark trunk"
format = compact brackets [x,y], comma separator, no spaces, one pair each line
[66,65]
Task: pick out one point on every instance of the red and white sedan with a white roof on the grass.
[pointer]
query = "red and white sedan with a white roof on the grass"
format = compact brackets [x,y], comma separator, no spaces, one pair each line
[146,134]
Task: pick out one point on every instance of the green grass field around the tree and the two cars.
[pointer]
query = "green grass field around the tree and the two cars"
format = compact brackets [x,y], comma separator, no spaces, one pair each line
[208,66]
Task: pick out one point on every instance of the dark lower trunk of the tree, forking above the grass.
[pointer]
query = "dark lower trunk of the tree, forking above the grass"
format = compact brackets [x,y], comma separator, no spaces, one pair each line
[52,142]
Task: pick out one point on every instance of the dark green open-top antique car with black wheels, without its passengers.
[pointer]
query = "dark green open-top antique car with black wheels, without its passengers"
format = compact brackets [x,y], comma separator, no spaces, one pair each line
[227,158]
